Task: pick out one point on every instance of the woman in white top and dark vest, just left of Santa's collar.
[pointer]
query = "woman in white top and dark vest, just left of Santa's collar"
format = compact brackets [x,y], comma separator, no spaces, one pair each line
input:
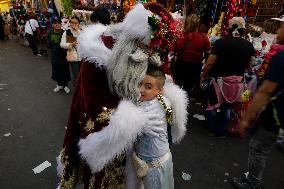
[69,42]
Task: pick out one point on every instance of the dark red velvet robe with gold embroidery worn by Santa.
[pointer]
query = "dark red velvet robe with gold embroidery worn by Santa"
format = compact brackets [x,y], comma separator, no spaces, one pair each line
[92,100]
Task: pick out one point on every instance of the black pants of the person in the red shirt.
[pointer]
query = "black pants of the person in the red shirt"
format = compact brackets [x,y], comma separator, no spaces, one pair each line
[187,75]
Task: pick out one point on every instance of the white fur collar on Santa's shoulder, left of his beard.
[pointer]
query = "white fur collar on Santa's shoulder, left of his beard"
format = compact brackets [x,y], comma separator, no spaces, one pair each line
[90,45]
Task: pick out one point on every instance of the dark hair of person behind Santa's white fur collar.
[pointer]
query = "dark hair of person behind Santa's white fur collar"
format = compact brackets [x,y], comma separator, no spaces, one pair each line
[100,15]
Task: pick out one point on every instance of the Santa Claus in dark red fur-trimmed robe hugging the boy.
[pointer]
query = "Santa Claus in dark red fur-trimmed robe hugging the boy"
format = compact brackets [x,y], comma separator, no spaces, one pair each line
[105,120]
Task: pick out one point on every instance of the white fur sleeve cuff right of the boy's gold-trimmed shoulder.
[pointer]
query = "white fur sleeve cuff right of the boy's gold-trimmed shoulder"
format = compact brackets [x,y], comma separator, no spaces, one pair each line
[179,102]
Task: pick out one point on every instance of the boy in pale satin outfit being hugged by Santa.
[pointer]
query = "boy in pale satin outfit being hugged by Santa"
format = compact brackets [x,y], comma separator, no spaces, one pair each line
[152,152]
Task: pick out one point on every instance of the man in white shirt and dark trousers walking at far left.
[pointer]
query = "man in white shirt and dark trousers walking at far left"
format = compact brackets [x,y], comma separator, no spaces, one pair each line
[31,28]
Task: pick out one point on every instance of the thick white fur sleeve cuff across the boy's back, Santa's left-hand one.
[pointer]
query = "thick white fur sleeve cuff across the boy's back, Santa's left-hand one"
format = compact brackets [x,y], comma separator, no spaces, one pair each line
[99,148]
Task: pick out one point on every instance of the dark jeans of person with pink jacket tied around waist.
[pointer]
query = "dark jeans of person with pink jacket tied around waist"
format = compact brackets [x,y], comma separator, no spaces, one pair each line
[217,121]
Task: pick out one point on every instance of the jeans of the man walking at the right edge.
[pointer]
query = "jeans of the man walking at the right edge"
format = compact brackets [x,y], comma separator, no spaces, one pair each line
[259,147]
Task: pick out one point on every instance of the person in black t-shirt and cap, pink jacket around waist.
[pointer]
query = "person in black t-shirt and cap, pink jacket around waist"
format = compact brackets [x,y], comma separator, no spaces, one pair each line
[225,67]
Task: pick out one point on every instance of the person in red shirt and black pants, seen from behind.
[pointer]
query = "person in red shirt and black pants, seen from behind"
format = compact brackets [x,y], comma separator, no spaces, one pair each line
[190,54]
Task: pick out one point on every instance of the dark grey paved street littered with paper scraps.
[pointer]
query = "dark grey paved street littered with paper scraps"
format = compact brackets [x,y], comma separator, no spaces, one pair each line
[33,117]
